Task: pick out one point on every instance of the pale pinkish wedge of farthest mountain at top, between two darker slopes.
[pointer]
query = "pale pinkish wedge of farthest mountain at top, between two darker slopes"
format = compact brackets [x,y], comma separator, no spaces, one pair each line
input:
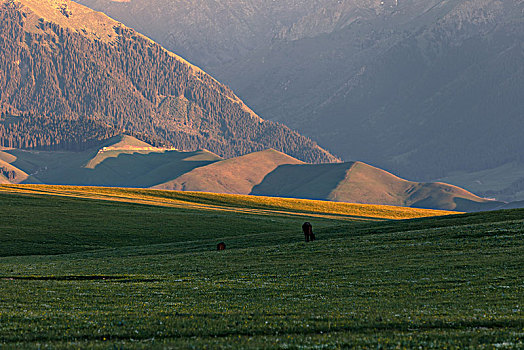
[210,33]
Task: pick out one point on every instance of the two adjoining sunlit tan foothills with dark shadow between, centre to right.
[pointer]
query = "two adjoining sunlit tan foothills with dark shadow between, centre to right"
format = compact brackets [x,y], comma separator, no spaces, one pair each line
[273,174]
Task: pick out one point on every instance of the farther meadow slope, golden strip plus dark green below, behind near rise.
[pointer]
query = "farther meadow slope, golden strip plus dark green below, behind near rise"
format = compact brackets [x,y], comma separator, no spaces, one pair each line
[69,219]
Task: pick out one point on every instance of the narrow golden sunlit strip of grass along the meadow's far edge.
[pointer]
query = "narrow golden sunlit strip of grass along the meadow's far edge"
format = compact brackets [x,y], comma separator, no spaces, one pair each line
[231,203]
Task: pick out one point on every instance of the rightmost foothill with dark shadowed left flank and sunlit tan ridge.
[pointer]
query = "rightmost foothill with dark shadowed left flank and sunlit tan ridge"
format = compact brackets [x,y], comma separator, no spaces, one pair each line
[361,183]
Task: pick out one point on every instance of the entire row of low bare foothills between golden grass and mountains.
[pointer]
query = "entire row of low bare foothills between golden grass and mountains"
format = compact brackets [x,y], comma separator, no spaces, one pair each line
[124,161]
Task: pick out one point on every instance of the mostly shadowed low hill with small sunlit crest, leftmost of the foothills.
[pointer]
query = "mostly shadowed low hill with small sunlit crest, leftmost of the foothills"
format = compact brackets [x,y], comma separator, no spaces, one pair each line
[121,161]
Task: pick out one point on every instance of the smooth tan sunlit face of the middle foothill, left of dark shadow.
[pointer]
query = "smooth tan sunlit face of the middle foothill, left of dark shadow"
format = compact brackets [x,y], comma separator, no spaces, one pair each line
[238,175]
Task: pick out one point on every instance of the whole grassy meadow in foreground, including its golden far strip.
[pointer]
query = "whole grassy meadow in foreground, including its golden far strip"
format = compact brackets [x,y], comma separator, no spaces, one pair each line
[111,268]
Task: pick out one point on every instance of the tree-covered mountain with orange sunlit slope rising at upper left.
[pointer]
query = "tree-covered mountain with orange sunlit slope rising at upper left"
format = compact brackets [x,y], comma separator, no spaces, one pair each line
[70,76]
